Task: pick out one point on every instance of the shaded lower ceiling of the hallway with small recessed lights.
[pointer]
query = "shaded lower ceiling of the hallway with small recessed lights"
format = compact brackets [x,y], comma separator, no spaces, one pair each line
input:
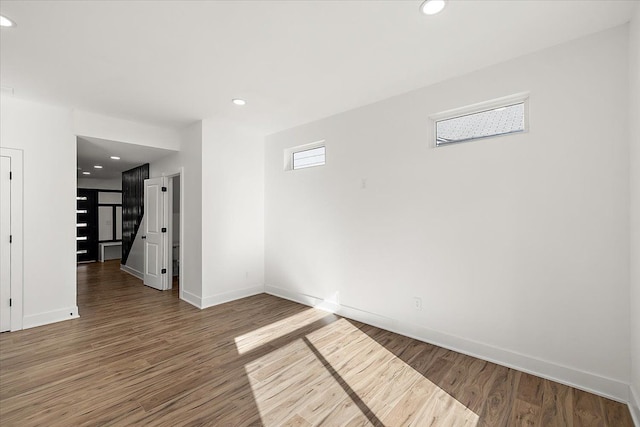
[95,151]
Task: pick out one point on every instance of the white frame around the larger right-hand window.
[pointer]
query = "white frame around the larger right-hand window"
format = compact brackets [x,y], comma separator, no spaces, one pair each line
[506,101]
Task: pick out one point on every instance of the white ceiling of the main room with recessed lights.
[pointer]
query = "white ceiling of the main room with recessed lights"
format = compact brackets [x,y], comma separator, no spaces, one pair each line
[170,63]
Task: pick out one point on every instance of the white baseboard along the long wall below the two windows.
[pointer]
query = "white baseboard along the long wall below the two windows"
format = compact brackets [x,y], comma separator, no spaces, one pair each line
[606,387]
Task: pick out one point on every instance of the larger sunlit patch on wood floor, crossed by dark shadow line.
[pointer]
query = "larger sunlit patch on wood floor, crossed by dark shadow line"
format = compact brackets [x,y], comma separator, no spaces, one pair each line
[338,374]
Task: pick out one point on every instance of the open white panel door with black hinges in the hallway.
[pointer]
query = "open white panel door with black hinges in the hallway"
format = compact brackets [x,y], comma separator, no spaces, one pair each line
[156,206]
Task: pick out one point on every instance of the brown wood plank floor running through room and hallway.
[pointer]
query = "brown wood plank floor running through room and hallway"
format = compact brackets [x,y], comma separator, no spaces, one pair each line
[143,357]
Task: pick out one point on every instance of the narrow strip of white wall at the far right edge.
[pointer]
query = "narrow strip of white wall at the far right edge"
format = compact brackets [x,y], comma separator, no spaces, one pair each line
[634,91]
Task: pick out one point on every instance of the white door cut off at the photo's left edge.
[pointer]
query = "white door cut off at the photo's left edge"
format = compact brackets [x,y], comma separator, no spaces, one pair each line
[5,246]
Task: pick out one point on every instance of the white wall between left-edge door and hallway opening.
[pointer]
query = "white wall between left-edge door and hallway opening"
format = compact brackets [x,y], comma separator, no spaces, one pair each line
[44,134]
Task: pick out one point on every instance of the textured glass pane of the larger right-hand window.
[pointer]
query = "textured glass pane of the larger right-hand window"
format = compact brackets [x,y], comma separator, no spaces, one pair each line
[498,121]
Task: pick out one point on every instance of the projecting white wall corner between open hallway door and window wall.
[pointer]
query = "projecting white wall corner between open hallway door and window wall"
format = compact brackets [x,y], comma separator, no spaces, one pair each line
[222,254]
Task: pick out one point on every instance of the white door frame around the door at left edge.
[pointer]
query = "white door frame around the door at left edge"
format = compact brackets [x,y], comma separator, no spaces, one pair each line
[17,246]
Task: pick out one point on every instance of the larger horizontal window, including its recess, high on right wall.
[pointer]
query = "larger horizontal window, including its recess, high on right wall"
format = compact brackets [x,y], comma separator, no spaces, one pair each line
[485,120]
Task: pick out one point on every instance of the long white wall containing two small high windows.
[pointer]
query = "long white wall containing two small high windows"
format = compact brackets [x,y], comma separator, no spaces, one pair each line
[518,246]
